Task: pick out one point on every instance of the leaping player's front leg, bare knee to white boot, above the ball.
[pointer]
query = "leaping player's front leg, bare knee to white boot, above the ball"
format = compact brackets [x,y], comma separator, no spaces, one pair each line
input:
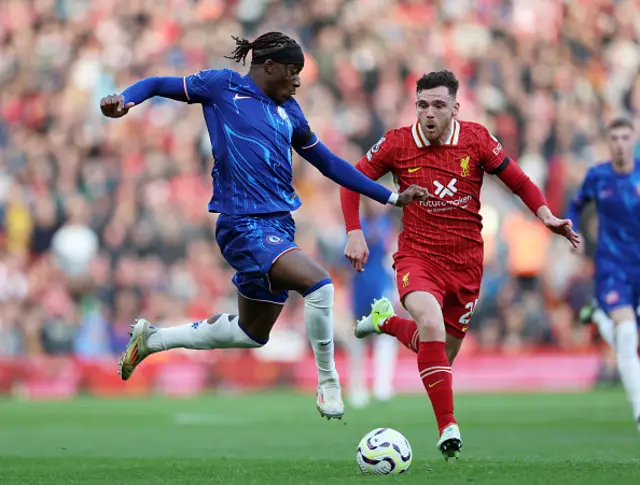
[296,271]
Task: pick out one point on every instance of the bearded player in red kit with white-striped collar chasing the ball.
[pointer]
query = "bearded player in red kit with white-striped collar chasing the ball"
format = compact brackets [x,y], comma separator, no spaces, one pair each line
[439,261]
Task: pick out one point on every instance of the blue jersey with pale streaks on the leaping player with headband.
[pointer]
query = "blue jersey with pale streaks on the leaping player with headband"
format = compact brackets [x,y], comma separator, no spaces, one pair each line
[252,139]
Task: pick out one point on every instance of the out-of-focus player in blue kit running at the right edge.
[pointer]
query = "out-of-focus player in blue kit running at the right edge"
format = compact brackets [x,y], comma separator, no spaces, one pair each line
[614,186]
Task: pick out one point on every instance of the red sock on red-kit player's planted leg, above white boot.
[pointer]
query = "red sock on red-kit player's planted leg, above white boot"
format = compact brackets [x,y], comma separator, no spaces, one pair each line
[437,379]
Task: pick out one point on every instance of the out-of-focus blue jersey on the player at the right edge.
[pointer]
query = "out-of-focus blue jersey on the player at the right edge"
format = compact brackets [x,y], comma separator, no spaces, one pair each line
[617,199]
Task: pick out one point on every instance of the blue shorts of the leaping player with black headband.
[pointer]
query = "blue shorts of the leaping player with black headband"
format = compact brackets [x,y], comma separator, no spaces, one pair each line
[251,245]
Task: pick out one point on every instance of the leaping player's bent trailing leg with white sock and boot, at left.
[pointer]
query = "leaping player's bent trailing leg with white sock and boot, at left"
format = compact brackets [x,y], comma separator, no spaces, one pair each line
[249,329]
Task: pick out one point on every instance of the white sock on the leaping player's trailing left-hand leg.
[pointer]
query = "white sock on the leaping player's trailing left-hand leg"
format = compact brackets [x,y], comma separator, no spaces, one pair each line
[223,333]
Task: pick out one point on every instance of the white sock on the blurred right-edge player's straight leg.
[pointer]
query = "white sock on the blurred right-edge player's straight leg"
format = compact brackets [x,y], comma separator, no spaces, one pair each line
[629,362]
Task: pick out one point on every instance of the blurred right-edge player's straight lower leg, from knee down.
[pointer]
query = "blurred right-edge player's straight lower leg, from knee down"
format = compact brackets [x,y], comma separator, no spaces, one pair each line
[626,347]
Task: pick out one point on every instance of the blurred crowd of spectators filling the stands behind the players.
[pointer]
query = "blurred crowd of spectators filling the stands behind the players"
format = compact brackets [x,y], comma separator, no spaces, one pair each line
[102,221]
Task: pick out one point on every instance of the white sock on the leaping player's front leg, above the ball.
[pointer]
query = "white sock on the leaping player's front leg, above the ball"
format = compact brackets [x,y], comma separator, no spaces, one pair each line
[318,318]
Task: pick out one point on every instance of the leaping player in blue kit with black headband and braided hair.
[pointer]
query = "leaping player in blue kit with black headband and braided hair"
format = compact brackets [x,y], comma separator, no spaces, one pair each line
[254,123]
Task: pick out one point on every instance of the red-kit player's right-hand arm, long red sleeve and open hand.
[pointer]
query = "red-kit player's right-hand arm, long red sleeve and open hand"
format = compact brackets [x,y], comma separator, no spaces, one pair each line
[521,185]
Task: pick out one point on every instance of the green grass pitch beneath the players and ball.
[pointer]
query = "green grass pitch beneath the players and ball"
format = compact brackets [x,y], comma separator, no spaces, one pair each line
[279,438]
